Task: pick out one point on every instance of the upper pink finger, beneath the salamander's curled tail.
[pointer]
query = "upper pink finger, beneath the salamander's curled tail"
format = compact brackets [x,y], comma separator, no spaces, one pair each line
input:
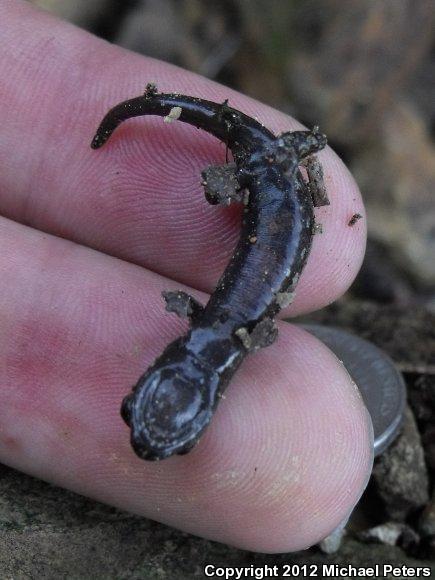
[140,197]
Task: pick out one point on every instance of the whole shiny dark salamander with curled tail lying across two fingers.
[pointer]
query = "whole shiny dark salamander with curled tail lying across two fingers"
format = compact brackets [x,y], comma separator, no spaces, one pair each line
[175,399]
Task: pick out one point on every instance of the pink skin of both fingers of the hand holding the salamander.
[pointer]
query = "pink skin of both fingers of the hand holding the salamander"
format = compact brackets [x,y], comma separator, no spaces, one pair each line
[289,451]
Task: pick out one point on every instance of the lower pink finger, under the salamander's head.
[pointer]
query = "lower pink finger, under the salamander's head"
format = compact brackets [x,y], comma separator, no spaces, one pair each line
[283,462]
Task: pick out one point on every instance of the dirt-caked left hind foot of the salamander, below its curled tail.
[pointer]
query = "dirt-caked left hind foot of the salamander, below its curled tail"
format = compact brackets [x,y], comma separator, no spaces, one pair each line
[221,185]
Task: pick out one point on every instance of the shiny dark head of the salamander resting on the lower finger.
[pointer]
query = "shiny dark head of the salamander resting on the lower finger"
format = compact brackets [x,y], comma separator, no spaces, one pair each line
[170,406]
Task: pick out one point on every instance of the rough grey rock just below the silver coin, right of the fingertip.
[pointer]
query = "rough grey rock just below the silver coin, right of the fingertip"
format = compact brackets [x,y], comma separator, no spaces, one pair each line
[400,474]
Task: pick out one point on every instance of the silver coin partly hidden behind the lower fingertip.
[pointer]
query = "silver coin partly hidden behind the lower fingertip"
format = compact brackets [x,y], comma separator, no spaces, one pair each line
[381,384]
